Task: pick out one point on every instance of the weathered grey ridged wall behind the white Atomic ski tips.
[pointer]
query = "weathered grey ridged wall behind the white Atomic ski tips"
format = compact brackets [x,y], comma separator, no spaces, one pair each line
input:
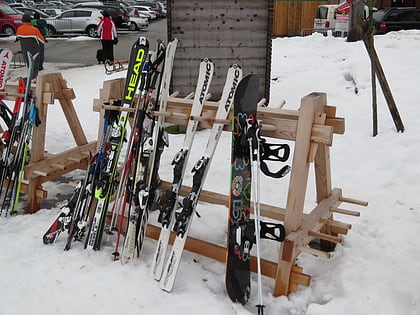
[226,31]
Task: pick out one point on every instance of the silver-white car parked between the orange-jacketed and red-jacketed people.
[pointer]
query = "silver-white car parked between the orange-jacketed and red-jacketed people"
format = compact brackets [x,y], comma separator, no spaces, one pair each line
[81,20]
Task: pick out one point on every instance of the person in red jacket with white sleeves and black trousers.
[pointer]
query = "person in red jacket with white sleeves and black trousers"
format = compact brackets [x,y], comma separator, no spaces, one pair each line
[107,31]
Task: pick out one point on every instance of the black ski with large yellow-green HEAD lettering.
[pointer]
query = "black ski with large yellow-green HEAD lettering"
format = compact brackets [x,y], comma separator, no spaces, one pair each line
[106,181]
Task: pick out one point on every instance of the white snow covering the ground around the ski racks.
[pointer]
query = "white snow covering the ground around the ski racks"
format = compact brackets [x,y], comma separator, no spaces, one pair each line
[374,271]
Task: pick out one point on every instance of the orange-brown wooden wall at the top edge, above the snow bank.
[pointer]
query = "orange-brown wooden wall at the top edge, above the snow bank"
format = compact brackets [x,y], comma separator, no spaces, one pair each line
[291,17]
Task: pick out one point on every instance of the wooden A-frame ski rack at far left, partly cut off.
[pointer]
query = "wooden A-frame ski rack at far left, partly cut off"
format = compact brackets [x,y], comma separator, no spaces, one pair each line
[44,166]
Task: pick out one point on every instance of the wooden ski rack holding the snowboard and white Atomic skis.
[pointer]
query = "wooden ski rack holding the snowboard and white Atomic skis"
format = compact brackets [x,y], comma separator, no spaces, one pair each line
[311,128]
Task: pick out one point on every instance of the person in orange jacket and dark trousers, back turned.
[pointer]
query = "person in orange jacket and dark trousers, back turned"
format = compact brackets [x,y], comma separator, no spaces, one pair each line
[30,40]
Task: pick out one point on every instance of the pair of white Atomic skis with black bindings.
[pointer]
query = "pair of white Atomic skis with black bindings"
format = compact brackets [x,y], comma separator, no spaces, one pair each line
[179,220]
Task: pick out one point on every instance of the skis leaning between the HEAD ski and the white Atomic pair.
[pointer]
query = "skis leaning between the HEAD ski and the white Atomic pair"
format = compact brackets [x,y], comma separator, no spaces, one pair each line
[150,144]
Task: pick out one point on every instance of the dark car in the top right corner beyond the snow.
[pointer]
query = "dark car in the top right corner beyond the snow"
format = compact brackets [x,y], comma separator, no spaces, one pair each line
[396,18]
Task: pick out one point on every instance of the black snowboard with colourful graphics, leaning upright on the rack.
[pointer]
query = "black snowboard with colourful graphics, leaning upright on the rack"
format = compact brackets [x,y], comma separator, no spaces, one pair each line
[241,228]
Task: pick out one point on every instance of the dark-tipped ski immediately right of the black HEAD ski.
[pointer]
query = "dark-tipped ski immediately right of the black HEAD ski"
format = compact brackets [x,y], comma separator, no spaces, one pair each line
[145,126]
